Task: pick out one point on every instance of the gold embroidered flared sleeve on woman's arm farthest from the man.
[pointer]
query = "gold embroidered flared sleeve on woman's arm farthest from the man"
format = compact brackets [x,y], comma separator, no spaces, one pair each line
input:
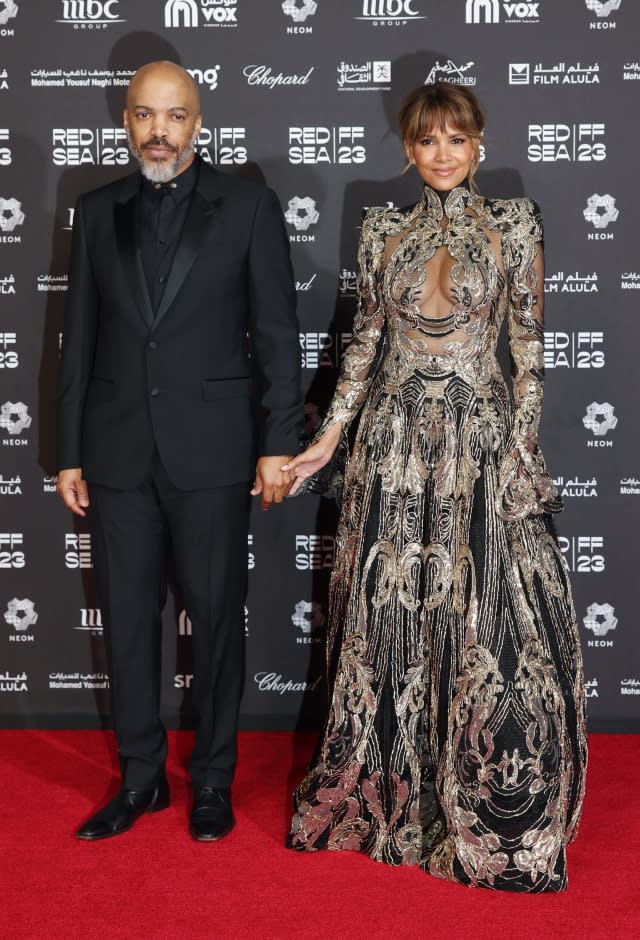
[524,485]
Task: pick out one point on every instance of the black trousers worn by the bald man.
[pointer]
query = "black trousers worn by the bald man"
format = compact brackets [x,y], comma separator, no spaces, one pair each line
[132,533]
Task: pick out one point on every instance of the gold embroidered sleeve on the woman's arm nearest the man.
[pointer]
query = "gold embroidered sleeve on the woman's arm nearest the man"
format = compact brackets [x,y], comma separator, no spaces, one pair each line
[357,365]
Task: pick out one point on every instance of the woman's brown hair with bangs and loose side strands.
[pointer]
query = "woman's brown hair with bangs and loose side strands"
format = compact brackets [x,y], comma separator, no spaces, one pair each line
[431,107]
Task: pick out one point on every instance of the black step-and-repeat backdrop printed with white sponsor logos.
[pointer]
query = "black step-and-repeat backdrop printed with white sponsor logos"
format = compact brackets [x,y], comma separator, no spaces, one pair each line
[303,95]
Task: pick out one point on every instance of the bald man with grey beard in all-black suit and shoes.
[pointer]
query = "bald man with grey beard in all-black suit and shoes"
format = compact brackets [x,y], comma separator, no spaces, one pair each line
[179,277]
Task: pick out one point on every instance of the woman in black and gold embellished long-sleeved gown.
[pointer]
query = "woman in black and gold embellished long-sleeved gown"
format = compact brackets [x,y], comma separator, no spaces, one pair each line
[455,733]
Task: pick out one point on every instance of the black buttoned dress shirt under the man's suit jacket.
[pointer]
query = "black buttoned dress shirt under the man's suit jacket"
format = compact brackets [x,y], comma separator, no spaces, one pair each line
[162,210]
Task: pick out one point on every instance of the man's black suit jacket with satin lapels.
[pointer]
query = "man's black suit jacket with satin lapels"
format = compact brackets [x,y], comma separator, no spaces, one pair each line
[179,380]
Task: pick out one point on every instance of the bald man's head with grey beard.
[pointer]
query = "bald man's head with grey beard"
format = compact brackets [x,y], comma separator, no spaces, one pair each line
[162,119]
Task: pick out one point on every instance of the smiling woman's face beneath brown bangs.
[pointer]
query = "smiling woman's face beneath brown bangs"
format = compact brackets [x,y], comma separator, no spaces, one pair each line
[443,158]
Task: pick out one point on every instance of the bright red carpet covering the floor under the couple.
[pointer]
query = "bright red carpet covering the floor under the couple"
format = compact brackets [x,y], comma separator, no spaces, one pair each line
[154,882]
